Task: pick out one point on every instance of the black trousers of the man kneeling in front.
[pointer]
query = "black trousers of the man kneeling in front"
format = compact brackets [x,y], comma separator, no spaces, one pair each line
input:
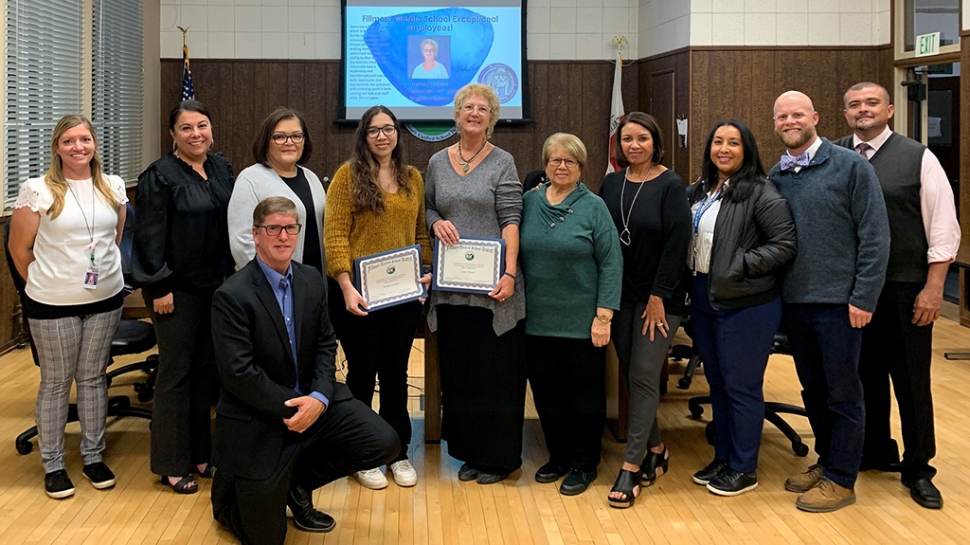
[348,437]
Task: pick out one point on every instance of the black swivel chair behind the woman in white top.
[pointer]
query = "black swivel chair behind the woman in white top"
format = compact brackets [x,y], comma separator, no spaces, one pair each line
[132,337]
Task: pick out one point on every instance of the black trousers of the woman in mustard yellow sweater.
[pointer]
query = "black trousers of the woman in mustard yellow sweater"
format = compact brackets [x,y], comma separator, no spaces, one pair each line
[378,346]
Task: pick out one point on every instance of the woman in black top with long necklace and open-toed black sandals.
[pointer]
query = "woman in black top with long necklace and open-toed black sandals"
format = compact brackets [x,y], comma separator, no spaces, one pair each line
[648,203]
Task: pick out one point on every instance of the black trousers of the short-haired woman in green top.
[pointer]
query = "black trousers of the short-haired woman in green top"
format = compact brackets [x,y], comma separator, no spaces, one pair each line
[568,386]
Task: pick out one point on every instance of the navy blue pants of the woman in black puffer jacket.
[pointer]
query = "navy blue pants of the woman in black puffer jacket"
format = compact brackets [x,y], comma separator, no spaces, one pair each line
[734,346]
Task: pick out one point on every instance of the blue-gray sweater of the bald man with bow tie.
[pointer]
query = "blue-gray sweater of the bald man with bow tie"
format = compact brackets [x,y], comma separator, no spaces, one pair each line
[841,227]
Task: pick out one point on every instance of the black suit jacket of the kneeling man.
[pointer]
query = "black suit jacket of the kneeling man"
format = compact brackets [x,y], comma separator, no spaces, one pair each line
[256,366]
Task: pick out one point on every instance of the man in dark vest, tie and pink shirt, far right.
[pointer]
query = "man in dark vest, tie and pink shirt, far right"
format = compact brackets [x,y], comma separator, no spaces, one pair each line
[897,343]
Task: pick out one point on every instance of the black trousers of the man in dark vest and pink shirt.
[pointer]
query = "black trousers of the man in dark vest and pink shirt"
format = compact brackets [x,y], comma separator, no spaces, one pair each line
[895,348]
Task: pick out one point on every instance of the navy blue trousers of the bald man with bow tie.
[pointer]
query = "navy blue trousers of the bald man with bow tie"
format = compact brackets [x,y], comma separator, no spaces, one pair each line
[826,351]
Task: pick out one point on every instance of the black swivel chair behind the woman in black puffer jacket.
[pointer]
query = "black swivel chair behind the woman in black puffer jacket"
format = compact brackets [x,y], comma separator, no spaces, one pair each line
[773,409]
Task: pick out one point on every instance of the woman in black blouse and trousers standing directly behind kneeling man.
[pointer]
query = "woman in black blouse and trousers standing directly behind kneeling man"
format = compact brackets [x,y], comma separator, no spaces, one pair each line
[181,255]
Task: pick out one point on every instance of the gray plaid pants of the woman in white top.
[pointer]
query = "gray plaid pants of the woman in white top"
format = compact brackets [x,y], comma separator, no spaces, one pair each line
[74,349]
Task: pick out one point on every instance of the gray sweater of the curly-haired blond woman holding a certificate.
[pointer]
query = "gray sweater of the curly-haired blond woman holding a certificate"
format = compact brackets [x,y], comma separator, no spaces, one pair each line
[479,204]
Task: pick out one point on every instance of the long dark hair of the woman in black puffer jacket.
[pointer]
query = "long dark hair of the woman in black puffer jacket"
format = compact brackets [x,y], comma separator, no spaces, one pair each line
[744,180]
